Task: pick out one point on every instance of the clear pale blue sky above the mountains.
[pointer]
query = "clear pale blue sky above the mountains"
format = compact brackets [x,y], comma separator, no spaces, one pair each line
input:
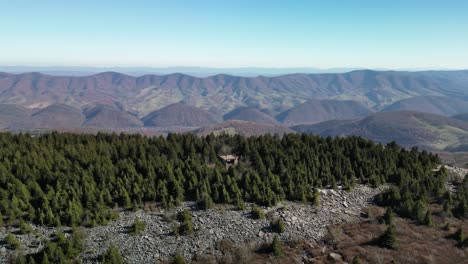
[224,33]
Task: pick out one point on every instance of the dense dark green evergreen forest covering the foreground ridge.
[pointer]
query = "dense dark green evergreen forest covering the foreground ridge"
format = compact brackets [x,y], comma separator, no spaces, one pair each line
[69,179]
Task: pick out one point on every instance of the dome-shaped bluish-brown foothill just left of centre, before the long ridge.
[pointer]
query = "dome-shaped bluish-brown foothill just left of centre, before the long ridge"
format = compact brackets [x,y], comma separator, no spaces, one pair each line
[179,115]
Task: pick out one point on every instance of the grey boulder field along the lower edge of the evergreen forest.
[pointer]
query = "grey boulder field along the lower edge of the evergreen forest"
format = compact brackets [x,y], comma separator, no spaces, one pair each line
[157,242]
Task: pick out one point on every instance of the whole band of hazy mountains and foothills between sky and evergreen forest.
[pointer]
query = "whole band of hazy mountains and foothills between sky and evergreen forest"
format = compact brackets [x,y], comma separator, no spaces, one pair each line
[413,108]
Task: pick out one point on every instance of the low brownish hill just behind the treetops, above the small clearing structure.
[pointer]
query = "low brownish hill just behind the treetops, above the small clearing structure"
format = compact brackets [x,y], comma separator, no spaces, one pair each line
[242,127]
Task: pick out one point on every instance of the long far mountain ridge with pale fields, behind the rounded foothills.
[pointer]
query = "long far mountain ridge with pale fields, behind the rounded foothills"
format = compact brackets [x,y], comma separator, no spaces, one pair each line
[224,93]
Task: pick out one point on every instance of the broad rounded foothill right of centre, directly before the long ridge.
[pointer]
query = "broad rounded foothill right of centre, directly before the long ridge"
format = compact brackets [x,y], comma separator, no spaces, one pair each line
[315,111]
